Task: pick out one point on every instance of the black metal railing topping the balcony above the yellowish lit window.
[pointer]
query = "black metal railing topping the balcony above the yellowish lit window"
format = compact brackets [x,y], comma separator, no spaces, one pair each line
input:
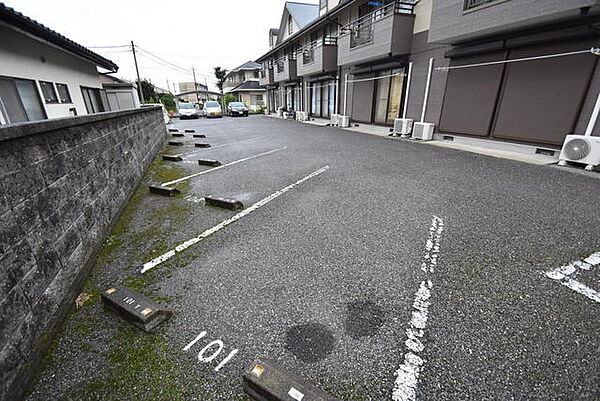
[361,30]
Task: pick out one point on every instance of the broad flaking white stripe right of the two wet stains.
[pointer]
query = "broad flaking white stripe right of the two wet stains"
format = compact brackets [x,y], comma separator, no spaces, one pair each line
[407,376]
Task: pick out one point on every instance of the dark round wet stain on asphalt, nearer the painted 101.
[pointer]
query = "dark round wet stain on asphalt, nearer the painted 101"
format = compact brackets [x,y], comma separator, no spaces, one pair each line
[310,342]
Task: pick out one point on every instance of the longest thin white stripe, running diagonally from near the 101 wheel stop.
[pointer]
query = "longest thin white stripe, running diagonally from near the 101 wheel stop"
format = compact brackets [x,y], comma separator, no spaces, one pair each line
[183,246]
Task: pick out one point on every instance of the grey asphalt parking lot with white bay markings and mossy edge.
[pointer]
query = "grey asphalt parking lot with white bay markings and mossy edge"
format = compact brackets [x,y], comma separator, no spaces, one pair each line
[377,268]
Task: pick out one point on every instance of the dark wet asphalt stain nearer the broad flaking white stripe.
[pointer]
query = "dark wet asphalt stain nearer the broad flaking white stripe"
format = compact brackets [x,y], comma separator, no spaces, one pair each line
[364,319]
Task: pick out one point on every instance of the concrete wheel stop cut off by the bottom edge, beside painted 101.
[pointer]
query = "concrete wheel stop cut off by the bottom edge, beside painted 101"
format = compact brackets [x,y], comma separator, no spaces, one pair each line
[267,381]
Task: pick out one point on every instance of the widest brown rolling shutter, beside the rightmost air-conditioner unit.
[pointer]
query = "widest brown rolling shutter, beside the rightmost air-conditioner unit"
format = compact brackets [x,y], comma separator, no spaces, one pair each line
[541,99]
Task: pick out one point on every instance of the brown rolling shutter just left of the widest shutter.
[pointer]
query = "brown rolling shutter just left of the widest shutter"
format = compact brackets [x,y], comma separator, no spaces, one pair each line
[471,95]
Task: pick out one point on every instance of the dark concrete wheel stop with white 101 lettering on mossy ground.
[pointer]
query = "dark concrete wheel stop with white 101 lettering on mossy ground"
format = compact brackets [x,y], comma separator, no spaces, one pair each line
[136,309]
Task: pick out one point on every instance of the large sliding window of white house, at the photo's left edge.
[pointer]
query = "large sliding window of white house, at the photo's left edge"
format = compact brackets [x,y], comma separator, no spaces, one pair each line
[20,101]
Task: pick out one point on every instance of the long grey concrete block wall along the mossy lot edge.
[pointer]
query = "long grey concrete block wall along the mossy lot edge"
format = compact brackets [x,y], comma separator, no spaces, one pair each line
[62,185]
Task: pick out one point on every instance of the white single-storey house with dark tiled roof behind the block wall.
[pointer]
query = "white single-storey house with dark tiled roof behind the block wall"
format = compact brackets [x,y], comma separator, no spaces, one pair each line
[44,74]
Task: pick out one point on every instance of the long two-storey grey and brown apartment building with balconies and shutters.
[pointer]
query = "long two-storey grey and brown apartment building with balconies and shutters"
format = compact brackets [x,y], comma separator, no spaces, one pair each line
[520,71]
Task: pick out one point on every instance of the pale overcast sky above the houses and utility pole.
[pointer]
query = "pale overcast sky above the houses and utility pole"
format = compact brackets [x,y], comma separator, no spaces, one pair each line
[199,33]
